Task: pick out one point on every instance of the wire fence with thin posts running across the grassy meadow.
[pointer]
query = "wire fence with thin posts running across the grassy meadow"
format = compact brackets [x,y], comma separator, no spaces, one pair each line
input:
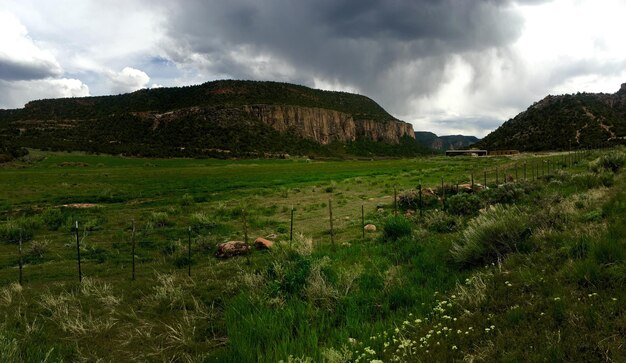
[86,238]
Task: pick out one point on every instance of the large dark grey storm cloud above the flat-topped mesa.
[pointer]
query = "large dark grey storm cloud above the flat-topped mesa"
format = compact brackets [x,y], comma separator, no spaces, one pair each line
[363,44]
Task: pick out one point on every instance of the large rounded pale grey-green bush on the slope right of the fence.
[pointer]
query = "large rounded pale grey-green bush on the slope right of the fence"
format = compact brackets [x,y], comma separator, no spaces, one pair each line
[493,234]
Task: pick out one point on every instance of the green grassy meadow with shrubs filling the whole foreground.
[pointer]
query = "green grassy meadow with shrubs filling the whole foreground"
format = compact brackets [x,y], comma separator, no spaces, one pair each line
[526,270]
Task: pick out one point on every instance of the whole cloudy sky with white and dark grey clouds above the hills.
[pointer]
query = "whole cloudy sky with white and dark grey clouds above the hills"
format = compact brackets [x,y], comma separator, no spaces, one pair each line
[446,66]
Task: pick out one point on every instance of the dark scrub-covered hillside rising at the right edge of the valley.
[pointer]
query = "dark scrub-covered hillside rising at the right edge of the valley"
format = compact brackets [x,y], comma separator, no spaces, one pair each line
[579,120]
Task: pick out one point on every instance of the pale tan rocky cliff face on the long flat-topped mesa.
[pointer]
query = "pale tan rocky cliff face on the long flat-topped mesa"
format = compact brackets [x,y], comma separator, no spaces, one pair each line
[324,126]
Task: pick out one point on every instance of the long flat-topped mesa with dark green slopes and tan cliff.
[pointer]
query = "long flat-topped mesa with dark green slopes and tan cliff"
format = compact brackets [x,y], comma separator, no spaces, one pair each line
[220,118]
